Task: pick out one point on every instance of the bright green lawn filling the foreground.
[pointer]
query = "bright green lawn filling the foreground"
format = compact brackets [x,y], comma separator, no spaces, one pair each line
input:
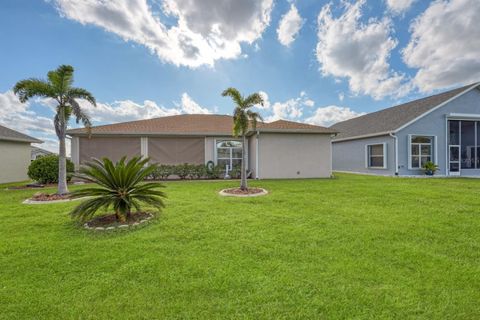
[351,247]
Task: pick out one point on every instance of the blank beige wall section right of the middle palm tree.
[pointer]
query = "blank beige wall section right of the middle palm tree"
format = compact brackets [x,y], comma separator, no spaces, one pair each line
[283,155]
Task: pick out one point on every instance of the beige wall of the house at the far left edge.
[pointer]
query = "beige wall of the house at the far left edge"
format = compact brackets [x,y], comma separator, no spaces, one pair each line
[14,161]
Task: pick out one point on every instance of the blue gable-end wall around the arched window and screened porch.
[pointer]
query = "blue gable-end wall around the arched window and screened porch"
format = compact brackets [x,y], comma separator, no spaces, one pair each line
[434,124]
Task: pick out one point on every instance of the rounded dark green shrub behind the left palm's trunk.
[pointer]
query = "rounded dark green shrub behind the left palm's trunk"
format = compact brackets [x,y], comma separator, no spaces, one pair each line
[45,169]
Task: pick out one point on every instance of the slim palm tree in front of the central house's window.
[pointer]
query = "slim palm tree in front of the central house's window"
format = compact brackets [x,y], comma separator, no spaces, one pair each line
[243,117]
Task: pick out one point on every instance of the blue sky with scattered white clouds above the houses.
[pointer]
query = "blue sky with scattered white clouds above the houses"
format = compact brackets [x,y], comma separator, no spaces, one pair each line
[314,61]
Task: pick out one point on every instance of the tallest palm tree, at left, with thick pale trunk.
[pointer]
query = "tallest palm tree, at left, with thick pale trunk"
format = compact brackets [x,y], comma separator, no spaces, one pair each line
[59,88]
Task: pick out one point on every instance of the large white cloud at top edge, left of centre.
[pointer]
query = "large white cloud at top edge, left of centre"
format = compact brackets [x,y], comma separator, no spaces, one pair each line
[204,32]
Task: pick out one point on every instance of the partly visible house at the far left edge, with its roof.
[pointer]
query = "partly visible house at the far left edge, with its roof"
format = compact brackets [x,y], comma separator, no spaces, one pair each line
[14,155]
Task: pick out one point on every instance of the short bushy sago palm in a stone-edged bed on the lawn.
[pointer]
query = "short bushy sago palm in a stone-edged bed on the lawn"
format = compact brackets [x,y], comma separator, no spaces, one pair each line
[118,186]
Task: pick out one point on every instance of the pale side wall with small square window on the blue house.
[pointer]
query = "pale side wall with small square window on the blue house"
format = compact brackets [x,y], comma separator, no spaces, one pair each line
[351,155]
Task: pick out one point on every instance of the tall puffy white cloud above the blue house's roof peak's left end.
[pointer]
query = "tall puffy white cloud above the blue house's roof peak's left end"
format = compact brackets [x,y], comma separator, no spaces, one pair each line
[348,48]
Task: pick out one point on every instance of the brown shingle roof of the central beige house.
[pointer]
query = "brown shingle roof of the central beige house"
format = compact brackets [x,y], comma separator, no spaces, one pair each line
[194,124]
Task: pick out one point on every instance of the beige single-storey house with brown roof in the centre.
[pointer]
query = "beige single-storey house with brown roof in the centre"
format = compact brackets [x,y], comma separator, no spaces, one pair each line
[280,149]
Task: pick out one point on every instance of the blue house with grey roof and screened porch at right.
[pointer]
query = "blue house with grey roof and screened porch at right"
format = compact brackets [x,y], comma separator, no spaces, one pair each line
[444,128]
